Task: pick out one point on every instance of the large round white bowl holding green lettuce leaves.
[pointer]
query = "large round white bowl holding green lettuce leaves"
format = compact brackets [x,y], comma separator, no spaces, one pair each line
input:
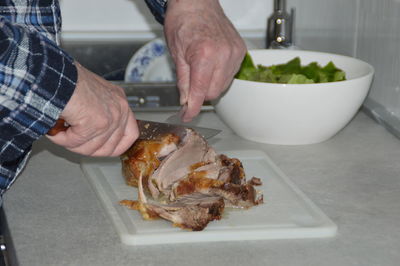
[294,114]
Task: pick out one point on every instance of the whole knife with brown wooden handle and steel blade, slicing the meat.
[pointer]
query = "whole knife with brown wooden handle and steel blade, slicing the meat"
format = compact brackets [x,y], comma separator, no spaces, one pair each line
[149,129]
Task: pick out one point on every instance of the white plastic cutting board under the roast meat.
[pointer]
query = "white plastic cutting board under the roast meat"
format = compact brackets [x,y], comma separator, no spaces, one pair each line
[286,213]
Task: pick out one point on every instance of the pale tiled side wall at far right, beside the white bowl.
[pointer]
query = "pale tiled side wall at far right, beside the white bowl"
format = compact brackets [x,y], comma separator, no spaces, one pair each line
[379,44]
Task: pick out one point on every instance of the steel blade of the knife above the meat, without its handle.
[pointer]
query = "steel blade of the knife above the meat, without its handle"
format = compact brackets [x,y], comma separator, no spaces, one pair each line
[152,130]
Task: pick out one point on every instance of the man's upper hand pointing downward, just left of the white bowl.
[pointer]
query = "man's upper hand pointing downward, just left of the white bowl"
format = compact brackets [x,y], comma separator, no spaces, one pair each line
[206,48]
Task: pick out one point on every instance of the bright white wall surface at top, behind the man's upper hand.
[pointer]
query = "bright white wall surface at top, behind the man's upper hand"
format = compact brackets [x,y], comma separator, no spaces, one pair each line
[130,19]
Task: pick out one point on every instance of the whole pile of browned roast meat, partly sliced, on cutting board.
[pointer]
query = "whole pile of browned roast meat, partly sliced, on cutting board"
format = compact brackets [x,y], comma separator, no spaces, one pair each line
[190,182]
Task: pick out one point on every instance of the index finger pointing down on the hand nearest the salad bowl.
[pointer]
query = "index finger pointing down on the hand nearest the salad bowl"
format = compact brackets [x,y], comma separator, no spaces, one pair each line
[200,78]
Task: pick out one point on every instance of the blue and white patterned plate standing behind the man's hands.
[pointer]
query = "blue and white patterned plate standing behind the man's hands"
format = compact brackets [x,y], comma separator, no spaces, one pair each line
[151,63]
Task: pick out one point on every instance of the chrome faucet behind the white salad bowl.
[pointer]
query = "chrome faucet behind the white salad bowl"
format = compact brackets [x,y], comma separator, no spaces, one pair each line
[280,27]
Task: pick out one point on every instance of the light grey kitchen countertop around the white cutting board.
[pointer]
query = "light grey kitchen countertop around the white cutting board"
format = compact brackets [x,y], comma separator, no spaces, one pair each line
[55,217]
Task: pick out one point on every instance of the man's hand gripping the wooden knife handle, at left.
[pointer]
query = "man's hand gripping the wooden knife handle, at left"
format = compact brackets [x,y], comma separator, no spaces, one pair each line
[101,122]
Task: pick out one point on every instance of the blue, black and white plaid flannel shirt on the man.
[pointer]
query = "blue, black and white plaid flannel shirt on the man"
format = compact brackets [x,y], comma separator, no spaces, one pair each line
[37,78]
